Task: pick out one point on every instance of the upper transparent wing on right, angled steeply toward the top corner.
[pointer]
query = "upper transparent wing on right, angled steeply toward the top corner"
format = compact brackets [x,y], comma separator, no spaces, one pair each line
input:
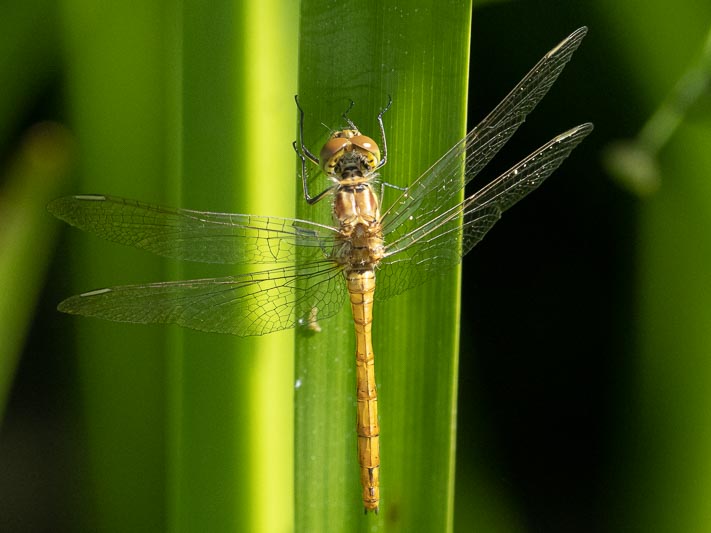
[432,193]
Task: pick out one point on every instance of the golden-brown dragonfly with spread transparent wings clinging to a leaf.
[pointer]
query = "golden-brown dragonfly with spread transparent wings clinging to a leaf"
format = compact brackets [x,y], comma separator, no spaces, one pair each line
[426,230]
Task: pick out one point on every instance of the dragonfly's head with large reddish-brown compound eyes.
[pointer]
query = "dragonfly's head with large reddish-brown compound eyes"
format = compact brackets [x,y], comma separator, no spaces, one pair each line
[349,152]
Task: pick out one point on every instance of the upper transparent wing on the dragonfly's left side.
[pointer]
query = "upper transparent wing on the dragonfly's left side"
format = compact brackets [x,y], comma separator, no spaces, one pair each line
[196,235]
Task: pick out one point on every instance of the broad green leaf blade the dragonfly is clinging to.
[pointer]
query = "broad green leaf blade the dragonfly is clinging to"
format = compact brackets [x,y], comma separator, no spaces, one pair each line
[418,54]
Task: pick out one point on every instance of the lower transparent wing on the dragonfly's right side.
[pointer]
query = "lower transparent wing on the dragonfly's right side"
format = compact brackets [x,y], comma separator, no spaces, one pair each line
[440,243]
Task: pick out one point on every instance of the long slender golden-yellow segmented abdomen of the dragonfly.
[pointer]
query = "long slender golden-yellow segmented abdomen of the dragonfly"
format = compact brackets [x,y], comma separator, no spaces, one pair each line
[361,287]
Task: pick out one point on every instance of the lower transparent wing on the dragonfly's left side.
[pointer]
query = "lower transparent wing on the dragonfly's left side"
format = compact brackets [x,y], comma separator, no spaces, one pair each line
[250,304]
